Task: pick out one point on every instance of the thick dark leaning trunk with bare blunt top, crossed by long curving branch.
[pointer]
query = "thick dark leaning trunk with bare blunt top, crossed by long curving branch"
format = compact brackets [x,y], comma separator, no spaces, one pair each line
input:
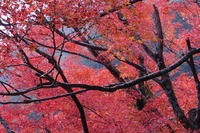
[166,81]
